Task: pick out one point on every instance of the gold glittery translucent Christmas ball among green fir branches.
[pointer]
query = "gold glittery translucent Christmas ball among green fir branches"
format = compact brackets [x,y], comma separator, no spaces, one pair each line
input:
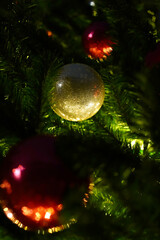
[77,92]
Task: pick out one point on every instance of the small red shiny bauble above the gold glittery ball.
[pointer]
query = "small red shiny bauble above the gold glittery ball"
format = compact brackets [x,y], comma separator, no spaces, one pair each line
[96,41]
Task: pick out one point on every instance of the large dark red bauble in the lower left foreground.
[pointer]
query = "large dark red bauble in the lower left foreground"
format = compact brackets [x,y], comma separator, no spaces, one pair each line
[36,187]
